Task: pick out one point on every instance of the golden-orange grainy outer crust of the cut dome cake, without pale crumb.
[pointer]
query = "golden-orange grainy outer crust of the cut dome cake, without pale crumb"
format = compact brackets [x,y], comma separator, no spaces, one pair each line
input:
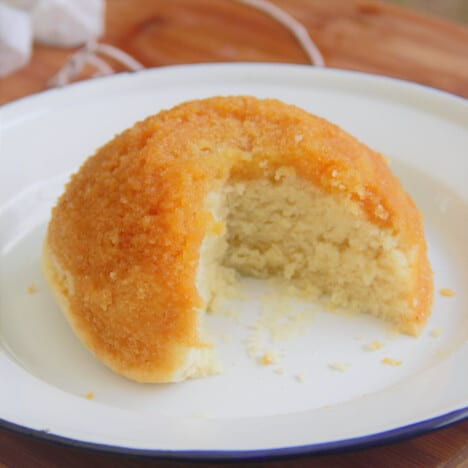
[129,226]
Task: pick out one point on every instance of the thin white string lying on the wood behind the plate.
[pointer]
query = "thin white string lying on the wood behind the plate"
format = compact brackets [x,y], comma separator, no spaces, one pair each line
[88,55]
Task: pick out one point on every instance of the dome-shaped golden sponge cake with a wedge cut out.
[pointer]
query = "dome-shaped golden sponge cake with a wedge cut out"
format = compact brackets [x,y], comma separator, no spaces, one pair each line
[153,226]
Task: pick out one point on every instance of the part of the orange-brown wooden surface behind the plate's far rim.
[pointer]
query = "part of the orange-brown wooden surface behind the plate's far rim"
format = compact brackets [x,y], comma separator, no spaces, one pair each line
[352,34]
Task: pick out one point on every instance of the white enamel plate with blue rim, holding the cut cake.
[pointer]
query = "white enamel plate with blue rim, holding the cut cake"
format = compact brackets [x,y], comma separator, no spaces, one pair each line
[327,390]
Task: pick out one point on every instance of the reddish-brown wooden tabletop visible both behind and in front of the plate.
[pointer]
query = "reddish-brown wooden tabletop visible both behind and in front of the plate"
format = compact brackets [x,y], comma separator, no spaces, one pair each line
[352,34]
